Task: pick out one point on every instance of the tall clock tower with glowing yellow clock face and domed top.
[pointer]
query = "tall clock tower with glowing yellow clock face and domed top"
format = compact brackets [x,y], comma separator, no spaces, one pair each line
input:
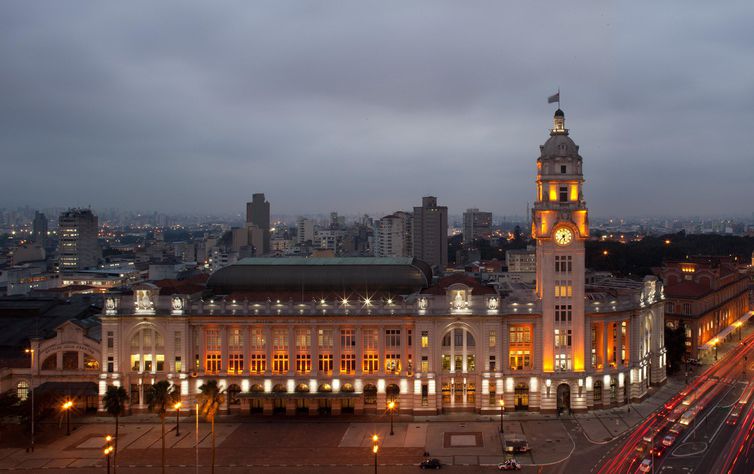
[560,227]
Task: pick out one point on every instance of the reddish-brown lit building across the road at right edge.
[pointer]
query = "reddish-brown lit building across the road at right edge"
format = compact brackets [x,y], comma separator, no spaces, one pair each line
[709,295]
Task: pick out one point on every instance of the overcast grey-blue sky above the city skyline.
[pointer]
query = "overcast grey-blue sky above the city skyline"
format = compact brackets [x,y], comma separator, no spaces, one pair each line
[362,107]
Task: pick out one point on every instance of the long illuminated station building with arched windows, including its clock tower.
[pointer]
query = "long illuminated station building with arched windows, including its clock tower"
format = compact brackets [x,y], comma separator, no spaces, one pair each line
[333,335]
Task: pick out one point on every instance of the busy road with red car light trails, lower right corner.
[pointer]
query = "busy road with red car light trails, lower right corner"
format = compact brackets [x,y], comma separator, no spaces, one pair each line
[707,443]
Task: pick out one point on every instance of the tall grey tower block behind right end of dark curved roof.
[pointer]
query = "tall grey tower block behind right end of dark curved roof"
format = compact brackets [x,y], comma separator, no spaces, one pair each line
[430,233]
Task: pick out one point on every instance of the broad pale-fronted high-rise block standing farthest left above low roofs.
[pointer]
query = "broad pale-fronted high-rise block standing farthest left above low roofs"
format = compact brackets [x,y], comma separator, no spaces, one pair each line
[78,247]
